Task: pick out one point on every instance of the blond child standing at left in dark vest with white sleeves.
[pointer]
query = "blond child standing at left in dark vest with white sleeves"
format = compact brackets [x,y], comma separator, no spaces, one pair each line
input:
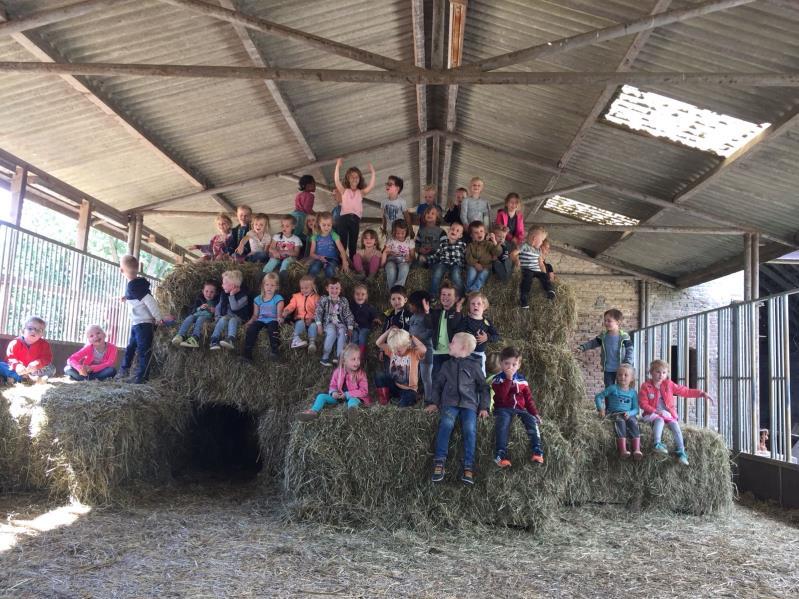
[144,315]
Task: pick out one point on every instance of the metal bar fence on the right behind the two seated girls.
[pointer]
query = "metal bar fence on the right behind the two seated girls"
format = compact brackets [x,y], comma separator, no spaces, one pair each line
[740,354]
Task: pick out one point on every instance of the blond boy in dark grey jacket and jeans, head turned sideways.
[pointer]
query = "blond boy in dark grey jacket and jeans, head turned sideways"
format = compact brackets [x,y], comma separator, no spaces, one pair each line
[460,392]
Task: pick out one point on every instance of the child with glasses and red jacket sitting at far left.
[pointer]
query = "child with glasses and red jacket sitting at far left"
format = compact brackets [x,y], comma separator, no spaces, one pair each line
[29,357]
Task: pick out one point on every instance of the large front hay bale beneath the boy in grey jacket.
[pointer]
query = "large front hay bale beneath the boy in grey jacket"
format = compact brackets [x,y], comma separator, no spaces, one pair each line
[374,470]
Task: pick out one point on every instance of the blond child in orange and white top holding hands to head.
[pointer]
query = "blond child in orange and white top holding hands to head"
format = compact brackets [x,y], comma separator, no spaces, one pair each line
[401,376]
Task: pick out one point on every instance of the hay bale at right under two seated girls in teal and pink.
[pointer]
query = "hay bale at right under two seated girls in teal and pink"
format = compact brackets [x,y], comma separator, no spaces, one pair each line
[704,487]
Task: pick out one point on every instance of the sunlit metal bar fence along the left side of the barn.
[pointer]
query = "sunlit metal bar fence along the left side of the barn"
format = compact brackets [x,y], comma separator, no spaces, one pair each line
[68,288]
